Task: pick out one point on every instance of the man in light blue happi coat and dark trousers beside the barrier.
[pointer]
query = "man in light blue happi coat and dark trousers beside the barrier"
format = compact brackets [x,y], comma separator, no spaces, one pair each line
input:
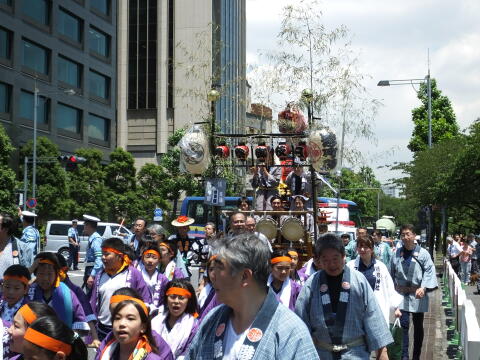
[413,274]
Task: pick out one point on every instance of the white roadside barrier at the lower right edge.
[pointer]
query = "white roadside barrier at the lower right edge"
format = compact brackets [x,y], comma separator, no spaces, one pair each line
[464,313]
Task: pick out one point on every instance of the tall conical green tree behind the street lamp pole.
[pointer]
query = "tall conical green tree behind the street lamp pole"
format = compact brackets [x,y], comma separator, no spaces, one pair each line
[444,123]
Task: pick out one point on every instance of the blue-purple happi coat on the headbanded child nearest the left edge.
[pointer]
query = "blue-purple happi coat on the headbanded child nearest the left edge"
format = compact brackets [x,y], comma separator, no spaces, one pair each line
[65,303]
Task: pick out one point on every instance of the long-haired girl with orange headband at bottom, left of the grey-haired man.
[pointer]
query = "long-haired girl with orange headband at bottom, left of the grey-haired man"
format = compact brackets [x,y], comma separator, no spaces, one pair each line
[127,296]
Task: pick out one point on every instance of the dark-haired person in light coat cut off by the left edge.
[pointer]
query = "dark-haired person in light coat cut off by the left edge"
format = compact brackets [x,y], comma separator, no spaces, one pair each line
[9,244]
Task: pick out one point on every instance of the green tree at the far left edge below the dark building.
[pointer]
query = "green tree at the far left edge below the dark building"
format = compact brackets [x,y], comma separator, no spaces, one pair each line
[7,175]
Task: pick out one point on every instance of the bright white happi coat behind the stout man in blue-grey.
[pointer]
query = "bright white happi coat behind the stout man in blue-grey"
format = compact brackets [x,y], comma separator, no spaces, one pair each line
[384,290]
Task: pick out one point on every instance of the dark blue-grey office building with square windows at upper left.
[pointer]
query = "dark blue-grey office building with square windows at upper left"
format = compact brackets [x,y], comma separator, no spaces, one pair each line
[67,50]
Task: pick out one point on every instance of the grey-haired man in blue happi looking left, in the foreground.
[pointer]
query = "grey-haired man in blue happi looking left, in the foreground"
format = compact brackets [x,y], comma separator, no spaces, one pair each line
[251,323]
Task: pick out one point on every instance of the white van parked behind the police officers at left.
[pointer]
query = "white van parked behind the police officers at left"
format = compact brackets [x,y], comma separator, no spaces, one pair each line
[56,236]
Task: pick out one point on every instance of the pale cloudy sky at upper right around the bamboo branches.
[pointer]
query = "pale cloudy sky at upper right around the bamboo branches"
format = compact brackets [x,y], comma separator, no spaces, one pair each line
[391,39]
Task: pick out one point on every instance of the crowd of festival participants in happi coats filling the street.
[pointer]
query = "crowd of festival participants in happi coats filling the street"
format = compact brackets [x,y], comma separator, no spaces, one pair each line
[139,299]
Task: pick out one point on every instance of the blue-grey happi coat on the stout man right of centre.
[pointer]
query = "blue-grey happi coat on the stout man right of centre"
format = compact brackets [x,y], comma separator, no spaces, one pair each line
[363,316]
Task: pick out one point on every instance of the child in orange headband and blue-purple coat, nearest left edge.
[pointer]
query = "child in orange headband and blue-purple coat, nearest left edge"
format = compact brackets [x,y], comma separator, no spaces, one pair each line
[49,289]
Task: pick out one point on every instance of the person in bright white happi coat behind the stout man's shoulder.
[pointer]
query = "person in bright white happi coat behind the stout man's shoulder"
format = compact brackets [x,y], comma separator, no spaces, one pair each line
[377,275]
